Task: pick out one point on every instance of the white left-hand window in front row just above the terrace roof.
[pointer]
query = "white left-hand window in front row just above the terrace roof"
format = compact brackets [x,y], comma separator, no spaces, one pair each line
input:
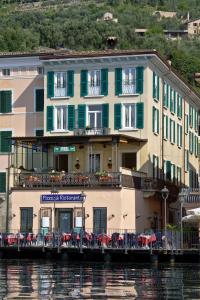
[60,118]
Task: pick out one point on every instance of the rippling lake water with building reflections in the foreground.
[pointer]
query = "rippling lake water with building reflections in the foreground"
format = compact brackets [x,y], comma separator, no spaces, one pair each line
[25,279]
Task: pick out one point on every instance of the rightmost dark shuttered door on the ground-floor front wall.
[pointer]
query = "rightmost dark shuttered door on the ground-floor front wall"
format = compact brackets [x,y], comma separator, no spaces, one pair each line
[100,220]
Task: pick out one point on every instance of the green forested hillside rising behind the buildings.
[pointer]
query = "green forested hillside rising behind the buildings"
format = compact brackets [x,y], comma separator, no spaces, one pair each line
[28,25]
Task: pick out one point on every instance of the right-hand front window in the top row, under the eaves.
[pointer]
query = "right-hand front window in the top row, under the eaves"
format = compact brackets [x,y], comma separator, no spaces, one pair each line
[129,81]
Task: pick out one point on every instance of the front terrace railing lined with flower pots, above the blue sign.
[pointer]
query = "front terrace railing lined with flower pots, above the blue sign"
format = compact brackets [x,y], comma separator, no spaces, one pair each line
[46,180]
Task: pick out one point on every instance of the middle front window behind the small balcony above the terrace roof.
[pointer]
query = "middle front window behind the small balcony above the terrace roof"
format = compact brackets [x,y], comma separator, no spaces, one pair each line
[94,116]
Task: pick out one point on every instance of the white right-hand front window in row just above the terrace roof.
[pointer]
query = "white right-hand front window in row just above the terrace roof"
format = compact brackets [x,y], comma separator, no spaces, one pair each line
[129,116]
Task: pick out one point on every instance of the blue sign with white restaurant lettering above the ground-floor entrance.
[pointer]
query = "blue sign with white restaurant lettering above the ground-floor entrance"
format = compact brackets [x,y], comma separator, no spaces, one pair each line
[61,198]
